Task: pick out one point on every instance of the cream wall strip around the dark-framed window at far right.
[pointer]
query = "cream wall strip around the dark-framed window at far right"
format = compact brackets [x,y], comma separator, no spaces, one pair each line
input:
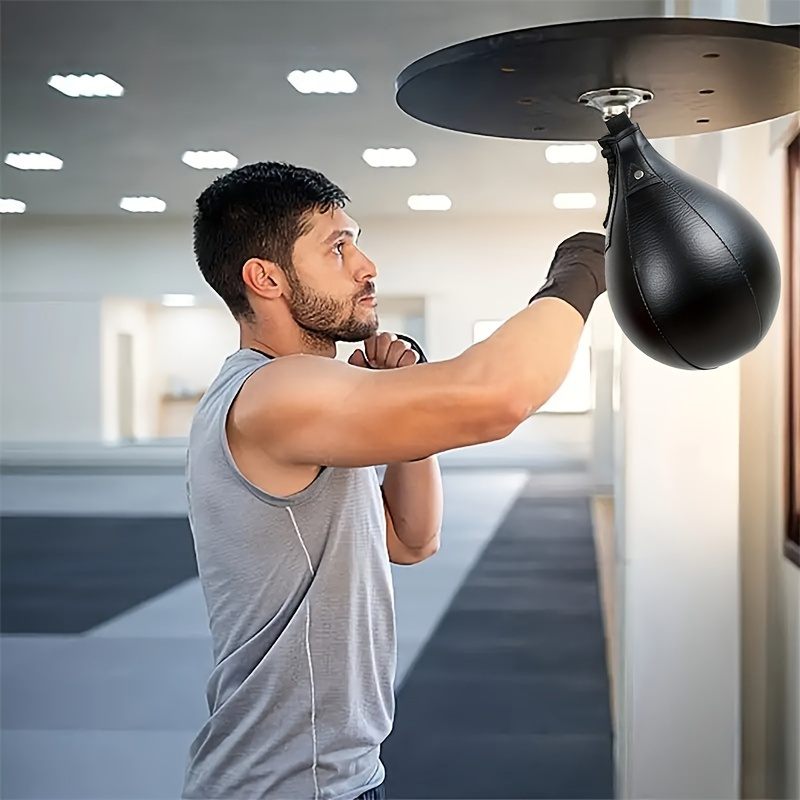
[770,584]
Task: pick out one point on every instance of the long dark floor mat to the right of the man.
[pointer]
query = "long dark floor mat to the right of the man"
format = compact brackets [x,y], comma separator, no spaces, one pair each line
[509,700]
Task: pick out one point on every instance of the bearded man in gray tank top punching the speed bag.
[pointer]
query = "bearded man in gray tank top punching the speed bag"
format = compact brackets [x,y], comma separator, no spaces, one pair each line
[294,535]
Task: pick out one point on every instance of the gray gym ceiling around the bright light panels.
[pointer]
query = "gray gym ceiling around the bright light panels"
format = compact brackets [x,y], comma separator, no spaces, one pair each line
[212,76]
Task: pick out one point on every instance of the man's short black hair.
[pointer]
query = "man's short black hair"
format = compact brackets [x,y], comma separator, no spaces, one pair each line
[256,211]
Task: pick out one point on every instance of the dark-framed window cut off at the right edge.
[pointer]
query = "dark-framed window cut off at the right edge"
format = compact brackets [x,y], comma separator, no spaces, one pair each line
[792,545]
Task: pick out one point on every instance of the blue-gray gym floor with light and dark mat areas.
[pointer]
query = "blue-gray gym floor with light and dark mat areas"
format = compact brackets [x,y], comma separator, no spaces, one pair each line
[502,684]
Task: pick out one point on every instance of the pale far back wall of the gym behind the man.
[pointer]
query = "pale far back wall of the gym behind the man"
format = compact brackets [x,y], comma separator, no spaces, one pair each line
[70,287]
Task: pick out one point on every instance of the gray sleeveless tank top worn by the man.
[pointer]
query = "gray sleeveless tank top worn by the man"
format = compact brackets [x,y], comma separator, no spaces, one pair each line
[301,611]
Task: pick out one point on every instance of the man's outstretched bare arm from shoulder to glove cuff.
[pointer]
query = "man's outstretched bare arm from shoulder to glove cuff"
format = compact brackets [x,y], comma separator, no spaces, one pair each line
[319,411]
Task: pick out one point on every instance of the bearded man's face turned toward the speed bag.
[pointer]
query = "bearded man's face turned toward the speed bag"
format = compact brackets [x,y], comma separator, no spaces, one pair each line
[333,296]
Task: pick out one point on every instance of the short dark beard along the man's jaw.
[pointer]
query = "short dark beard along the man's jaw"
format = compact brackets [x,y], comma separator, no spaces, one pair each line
[326,319]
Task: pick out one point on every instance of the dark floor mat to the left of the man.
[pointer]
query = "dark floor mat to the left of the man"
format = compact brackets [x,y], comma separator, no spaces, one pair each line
[66,575]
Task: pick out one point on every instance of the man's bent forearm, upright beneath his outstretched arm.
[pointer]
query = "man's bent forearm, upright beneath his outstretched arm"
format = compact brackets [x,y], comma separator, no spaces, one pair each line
[413,495]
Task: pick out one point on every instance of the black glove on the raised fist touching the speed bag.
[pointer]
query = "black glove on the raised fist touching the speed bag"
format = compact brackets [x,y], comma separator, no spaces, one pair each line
[577,274]
